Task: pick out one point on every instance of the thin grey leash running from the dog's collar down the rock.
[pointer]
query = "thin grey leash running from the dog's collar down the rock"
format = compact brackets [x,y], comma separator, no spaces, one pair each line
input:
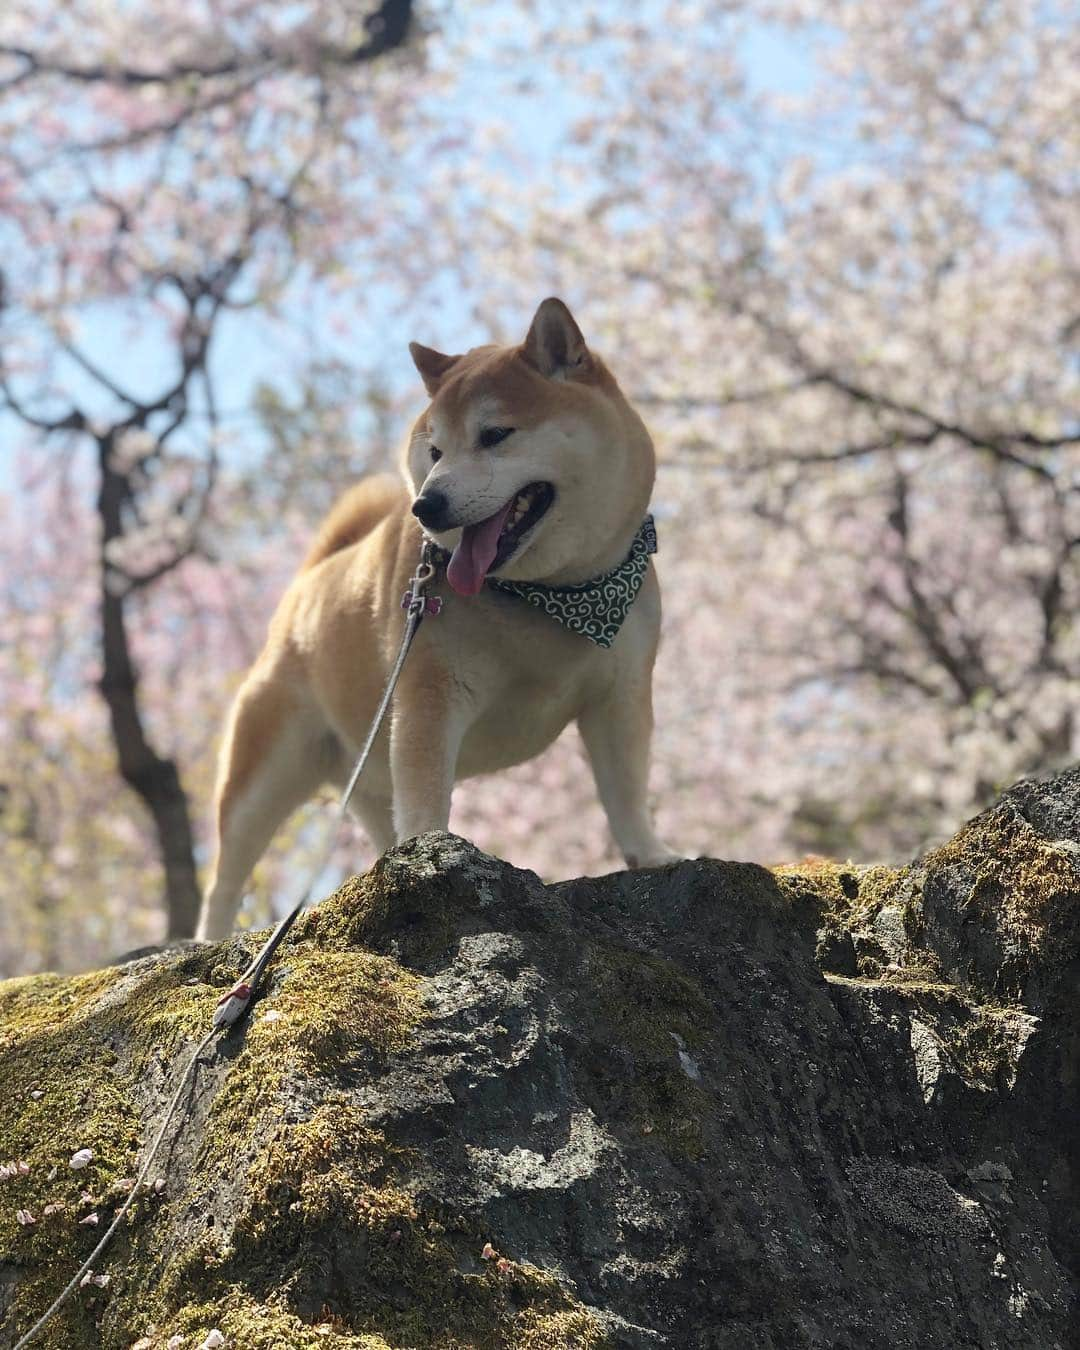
[233,1006]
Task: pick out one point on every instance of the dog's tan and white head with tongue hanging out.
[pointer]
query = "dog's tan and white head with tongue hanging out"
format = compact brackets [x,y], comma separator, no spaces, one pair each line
[530,464]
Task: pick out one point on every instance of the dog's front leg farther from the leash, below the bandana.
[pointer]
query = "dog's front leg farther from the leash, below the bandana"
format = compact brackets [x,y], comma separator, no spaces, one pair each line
[616,732]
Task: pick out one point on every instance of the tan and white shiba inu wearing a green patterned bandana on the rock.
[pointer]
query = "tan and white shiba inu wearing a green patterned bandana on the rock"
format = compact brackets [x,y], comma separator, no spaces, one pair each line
[534,473]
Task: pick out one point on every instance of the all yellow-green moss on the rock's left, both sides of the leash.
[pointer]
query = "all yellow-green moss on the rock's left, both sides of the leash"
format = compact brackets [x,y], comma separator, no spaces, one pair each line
[318,1191]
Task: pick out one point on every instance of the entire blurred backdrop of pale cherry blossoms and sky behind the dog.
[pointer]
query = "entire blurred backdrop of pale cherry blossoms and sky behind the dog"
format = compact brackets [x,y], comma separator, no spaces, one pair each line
[848,308]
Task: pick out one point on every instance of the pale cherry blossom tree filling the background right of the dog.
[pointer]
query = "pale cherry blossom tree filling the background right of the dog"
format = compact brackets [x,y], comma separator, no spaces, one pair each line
[853,317]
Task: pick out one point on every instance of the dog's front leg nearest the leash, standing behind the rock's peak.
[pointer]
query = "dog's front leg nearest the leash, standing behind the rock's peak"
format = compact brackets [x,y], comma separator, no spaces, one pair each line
[426,735]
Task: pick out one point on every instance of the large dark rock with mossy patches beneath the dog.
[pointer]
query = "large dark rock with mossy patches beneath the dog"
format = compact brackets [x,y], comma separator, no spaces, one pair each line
[709,1106]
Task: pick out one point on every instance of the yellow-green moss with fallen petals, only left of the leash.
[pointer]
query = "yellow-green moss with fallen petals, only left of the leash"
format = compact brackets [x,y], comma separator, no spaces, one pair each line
[72,1052]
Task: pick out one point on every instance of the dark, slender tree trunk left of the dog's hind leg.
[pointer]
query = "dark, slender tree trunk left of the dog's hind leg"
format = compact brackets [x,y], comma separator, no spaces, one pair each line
[156,780]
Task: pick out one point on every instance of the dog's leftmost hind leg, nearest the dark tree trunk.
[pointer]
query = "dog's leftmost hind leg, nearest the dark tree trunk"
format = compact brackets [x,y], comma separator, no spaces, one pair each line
[273,759]
